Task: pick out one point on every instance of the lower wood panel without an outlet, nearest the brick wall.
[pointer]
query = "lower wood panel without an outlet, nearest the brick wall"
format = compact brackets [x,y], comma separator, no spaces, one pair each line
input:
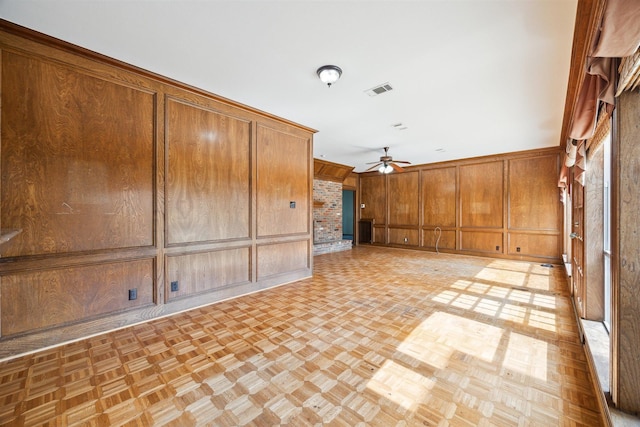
[283,257]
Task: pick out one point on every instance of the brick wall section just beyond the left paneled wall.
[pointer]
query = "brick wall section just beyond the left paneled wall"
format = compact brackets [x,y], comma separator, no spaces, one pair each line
[327,211]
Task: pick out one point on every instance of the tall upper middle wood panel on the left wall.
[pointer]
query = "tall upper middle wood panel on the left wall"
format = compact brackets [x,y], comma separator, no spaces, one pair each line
[208,175]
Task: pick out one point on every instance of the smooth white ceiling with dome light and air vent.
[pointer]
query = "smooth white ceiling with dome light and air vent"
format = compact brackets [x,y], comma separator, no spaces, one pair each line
[470,77]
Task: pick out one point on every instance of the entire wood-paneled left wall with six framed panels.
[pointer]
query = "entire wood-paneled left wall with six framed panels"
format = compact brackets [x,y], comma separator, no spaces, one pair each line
[123,182]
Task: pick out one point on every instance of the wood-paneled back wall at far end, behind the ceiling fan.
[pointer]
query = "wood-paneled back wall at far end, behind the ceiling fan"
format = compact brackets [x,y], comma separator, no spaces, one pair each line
[505,206]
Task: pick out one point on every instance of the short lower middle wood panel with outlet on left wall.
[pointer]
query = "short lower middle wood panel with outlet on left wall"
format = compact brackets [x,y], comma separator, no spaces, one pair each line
[207,271]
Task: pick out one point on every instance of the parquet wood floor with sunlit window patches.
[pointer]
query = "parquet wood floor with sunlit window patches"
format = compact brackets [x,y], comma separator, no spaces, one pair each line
[378,336]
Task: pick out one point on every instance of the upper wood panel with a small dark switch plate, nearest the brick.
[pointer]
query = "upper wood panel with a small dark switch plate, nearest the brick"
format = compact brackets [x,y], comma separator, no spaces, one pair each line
[284,172]
